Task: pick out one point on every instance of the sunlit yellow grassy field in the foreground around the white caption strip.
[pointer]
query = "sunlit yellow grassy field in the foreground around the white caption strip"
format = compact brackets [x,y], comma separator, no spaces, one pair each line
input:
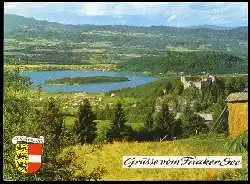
[110,157]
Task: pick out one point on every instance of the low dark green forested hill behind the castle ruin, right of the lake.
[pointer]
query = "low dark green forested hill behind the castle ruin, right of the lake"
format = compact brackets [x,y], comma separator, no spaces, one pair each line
[194,62]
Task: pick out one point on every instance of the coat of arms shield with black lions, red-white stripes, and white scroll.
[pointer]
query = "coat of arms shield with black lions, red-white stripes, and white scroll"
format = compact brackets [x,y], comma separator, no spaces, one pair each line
[28,157]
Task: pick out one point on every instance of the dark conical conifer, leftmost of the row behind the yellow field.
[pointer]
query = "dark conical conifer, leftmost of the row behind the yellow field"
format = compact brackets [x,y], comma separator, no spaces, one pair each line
[85,127]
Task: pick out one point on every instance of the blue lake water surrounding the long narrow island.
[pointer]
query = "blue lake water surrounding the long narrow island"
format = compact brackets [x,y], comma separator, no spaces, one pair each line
[39,77]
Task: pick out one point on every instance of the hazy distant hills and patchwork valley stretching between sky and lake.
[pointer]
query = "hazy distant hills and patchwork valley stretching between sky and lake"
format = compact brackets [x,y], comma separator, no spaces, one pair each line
[29,41]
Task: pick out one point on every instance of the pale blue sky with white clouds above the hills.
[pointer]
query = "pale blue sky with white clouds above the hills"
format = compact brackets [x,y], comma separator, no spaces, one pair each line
[177,14]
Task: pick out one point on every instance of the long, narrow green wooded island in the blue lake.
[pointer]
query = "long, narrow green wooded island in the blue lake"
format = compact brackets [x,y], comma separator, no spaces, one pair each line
[83,80]
